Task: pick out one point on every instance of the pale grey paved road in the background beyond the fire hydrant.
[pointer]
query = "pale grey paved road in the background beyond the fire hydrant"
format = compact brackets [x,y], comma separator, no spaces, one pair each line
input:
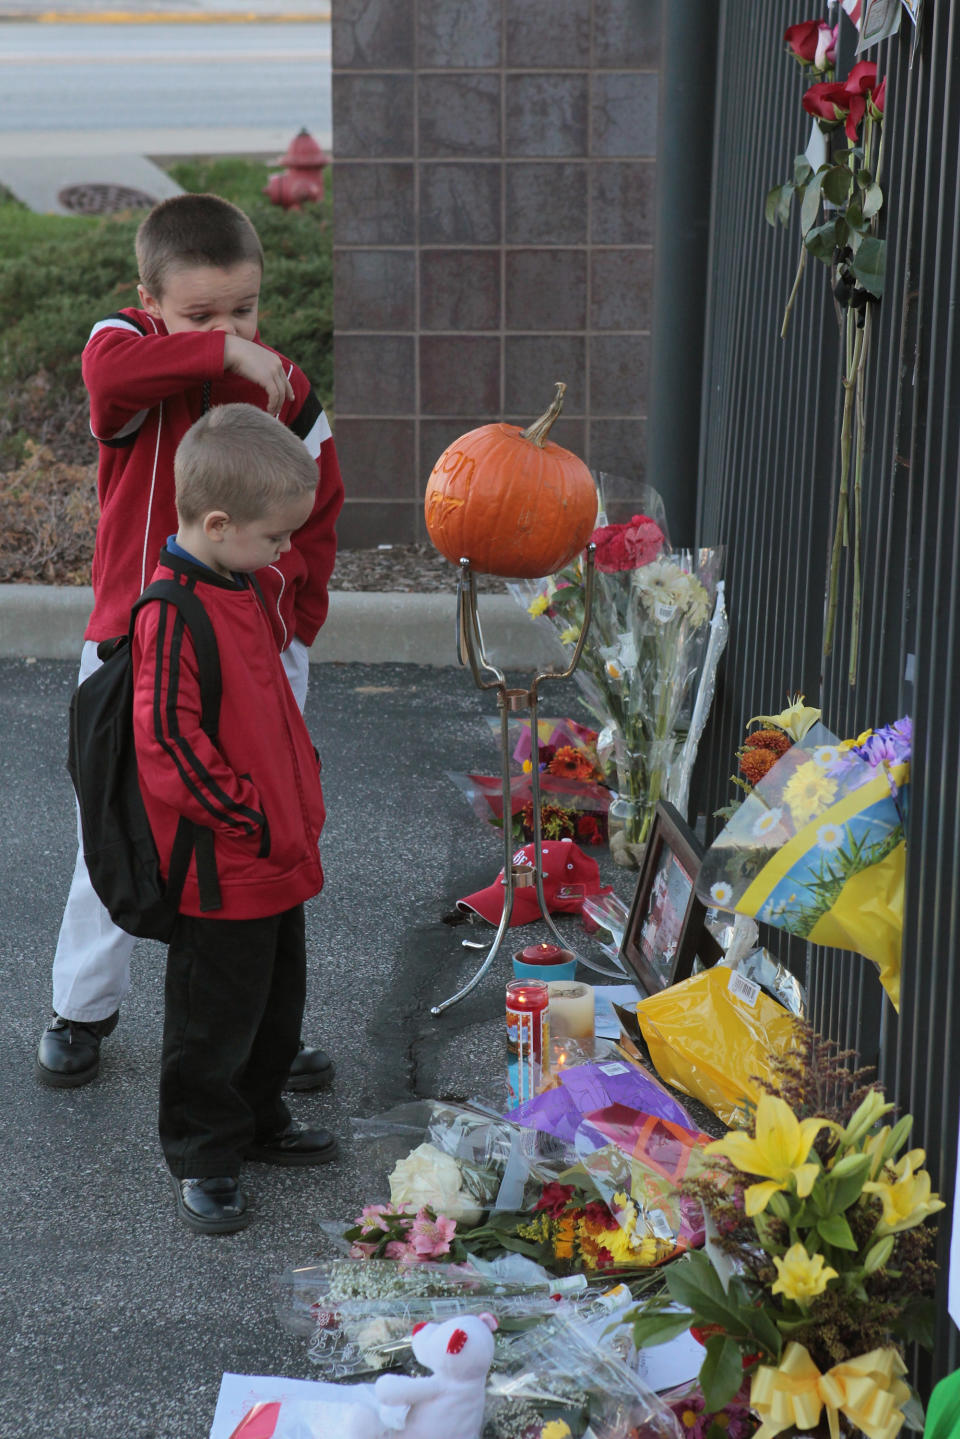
[116,77]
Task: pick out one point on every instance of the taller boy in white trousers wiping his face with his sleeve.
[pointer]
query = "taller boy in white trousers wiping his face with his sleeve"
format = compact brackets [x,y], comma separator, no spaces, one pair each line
[150,375]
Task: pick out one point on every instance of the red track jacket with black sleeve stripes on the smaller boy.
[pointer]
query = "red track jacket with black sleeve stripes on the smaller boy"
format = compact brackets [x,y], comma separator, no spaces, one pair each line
[258,788]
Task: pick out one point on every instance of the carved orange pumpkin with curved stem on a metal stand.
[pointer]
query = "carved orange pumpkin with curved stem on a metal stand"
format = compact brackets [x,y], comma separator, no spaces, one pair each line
[510,500]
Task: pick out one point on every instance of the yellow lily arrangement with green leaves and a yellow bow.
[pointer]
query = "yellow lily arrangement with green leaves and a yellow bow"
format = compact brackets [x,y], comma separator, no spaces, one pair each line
[820,1270]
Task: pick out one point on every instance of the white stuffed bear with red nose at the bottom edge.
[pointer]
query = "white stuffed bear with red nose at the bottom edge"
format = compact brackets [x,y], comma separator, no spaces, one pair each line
[444,1405]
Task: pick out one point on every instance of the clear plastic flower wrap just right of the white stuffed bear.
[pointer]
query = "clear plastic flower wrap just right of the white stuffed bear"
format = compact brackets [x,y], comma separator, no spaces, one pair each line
[566,1382]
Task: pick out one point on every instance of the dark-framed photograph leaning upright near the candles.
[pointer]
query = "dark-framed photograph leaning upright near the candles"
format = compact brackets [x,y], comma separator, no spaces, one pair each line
[666,932]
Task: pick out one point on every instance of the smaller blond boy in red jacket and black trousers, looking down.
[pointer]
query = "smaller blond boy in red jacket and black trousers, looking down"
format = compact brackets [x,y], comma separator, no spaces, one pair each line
[235,975]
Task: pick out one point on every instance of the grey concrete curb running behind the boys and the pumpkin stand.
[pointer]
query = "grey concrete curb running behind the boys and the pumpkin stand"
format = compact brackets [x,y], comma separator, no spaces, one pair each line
[371,628]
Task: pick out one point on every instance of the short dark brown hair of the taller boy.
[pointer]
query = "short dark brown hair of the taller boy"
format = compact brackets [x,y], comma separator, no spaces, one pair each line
[194,230]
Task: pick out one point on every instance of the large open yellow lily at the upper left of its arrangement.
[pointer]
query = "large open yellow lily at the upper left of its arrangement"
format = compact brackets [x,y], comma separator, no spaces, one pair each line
[779,1152]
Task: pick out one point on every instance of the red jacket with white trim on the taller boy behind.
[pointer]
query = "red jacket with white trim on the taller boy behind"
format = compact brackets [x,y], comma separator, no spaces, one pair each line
[148,388]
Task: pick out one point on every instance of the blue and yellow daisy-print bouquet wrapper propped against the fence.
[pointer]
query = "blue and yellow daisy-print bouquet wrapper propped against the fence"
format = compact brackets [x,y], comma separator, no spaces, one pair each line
[818,848]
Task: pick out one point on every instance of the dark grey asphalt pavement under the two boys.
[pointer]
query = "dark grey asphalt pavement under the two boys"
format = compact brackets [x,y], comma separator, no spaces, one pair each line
[120,1322]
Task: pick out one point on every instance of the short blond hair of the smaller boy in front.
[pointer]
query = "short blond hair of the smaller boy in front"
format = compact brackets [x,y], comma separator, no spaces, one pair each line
[243,461]
